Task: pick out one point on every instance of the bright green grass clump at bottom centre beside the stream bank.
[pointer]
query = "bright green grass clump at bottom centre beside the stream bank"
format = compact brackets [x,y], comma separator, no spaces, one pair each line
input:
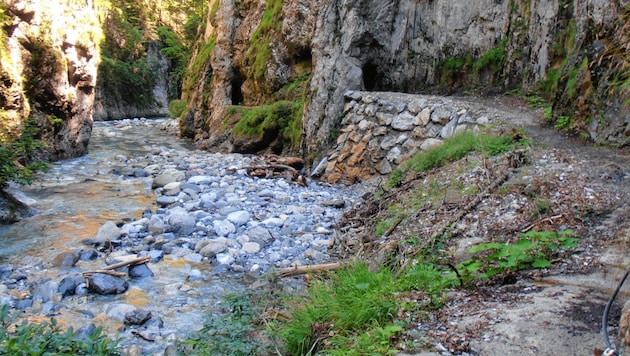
[353,312]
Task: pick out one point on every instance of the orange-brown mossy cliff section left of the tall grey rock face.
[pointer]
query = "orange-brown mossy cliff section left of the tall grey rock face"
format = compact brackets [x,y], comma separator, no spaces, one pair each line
[229,68]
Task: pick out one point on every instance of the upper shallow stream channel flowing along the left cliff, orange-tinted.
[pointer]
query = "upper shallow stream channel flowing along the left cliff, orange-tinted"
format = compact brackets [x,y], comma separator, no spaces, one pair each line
[75,197]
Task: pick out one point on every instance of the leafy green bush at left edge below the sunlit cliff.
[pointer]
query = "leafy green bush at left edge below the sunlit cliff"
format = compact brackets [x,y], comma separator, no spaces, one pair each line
[17,155]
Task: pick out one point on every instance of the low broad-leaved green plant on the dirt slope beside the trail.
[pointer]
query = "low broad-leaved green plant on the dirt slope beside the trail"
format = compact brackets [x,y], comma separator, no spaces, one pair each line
[532,250]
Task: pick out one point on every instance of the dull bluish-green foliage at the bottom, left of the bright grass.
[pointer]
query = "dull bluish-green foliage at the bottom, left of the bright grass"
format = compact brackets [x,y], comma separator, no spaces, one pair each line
[231,332]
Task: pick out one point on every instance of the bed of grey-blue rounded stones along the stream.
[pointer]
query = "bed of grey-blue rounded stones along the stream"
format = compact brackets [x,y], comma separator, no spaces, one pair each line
[211,230]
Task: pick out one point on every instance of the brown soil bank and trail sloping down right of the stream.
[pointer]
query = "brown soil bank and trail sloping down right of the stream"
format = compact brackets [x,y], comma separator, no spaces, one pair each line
[560,183]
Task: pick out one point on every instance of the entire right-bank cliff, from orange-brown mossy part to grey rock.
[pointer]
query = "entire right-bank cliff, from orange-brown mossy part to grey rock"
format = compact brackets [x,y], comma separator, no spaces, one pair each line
[573,53]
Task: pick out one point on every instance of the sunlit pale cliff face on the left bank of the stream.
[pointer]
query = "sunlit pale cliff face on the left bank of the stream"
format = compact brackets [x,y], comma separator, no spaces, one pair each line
[49,71]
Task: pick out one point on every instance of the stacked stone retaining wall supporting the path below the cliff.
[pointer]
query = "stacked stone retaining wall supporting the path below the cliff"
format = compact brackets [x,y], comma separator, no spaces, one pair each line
[380,130]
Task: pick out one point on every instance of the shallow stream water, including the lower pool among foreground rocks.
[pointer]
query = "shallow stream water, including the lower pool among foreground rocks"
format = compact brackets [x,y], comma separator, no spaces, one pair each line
[76,197]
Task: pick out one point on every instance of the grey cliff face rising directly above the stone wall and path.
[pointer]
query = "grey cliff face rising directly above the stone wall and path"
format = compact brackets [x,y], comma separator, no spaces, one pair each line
[408,46]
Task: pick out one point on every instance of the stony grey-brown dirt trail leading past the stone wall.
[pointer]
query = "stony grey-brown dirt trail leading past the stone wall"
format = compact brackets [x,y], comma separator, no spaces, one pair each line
[558,310]
